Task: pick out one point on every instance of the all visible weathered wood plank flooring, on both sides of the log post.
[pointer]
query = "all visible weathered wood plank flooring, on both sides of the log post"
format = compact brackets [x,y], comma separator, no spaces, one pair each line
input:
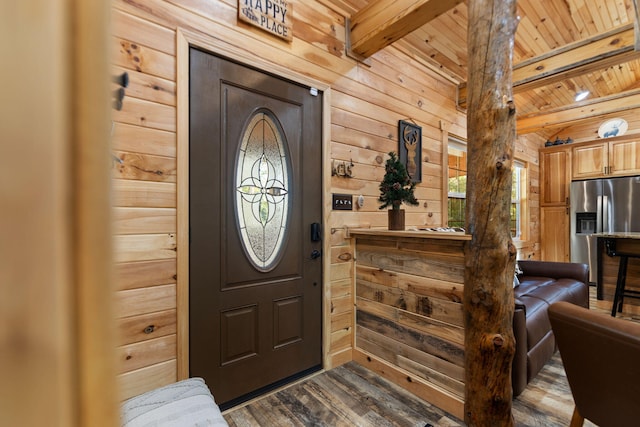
[351,395]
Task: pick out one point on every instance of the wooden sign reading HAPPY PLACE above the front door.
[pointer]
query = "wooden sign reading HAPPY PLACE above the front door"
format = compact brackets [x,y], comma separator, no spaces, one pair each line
[273,16]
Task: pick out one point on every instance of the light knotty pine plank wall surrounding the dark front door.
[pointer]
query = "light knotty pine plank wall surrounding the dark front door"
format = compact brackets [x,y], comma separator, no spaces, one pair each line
[366,103]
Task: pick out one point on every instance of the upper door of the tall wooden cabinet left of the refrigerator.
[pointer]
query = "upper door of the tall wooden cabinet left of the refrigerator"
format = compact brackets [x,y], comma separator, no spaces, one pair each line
[555,177]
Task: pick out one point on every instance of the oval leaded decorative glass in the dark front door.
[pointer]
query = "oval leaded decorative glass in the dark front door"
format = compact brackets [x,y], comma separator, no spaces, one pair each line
[263,190]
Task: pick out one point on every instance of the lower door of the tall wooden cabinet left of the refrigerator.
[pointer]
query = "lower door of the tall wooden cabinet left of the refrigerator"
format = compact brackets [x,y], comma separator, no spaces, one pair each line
[554,240]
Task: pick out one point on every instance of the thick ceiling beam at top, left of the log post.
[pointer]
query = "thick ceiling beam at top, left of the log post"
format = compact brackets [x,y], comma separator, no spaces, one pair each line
[382,22]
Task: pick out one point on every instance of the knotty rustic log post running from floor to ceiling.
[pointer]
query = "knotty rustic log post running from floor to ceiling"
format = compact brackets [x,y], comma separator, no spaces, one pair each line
[490,255]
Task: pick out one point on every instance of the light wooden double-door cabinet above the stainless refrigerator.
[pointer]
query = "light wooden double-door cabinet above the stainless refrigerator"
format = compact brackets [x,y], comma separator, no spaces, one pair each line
[606,159]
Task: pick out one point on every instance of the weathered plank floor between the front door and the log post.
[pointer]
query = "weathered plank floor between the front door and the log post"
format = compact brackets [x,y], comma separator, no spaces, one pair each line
[349,395]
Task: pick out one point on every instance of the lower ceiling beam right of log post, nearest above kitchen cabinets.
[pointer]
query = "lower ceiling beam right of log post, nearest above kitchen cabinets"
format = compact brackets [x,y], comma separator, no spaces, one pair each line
[588,110]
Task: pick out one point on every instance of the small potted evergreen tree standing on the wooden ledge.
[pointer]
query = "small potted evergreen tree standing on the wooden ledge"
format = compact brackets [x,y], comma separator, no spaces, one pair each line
[396,188]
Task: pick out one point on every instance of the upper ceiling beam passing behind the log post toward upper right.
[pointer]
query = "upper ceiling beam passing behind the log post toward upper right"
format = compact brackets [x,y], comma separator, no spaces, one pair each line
[585,56]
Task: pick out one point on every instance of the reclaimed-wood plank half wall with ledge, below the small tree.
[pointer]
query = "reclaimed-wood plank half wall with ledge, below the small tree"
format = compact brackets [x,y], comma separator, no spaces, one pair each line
[409,321]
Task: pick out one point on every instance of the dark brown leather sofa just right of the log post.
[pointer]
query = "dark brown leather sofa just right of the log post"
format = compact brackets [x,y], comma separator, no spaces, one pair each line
[541,284]
